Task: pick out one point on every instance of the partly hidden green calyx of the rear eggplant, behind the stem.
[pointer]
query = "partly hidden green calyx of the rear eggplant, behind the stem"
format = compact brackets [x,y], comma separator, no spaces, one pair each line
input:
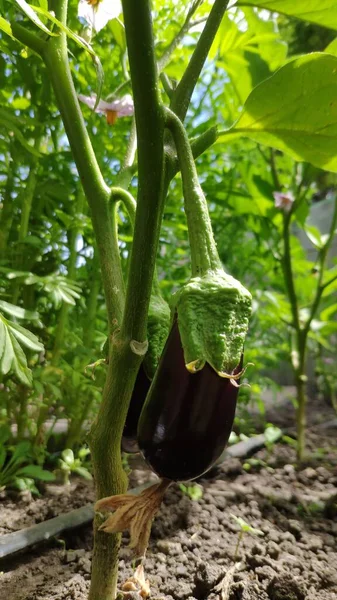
[158,324]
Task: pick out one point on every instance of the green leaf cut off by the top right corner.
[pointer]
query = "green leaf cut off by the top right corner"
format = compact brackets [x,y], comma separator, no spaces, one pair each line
[322,12]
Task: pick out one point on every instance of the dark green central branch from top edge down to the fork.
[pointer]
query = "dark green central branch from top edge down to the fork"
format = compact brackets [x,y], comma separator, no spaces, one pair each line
[150,136]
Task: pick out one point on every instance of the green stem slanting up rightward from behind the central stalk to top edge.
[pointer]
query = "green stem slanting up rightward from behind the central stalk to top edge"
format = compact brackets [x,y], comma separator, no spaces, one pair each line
[183,94]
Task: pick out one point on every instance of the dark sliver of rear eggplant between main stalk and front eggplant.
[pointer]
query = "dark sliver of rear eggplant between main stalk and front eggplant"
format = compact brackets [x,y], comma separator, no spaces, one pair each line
[140,390]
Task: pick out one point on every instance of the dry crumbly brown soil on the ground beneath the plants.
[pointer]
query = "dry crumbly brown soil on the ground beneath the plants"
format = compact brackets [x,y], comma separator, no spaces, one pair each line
[193,551]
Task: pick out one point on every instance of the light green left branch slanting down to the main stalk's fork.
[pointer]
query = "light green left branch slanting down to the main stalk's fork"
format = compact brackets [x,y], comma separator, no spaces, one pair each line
[55,56]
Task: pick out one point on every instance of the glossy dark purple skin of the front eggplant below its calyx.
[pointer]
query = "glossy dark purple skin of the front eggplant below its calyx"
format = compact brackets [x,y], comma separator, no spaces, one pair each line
[187,418]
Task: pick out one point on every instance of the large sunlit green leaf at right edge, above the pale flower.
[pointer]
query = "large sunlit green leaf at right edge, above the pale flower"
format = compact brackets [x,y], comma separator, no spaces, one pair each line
[295,110]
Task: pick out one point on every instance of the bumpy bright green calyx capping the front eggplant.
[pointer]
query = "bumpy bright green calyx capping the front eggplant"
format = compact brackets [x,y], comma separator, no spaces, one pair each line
[213,314]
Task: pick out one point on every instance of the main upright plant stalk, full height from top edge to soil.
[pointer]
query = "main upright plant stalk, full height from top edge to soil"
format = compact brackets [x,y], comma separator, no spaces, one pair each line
[106,433]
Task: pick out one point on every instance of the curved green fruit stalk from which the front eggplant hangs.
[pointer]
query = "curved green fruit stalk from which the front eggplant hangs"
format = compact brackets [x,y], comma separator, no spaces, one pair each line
[204,254]
